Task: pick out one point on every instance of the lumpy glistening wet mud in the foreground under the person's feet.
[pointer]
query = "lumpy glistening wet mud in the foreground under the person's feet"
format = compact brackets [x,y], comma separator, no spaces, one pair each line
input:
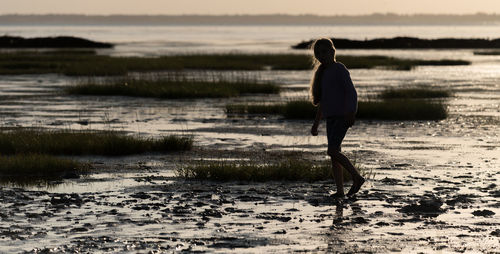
[450,209]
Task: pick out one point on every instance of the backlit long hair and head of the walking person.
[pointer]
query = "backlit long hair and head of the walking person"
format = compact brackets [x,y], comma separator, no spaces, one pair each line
[320,61]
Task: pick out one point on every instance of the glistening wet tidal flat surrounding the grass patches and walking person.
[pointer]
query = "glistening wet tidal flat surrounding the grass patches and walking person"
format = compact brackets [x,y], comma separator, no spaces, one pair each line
[433,184]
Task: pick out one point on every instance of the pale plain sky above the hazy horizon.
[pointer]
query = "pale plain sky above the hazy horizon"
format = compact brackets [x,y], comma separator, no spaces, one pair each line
[221,7]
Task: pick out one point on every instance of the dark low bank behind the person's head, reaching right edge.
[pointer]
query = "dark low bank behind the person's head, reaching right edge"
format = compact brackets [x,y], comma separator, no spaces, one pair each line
[408,43]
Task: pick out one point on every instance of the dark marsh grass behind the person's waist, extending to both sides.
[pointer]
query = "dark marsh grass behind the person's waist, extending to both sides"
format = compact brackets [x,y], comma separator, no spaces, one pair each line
[404,104]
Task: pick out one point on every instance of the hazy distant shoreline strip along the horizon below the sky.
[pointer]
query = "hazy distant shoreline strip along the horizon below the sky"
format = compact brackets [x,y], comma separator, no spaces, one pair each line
[373,19]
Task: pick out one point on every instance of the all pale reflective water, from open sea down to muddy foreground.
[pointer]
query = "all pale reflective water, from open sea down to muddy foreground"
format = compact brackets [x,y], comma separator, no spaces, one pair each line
[459,153]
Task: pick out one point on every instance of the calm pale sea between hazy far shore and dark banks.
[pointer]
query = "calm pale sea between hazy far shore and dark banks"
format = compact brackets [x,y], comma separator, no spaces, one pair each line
[156,40]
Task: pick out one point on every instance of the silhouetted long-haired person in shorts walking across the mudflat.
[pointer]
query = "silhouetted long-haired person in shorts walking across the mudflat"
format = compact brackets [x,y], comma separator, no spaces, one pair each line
[334,94]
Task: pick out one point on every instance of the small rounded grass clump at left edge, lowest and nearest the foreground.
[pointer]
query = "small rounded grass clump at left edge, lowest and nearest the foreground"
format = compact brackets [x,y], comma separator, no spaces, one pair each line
[31,169]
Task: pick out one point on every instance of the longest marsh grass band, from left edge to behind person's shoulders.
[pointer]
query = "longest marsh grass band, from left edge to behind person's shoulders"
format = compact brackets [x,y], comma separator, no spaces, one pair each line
[89,63]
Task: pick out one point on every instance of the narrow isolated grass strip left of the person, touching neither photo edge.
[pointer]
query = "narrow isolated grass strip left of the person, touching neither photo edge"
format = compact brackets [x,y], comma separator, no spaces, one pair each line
[172,89]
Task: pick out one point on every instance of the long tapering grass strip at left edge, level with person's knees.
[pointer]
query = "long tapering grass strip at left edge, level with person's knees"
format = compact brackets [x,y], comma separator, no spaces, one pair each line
[86,143]
